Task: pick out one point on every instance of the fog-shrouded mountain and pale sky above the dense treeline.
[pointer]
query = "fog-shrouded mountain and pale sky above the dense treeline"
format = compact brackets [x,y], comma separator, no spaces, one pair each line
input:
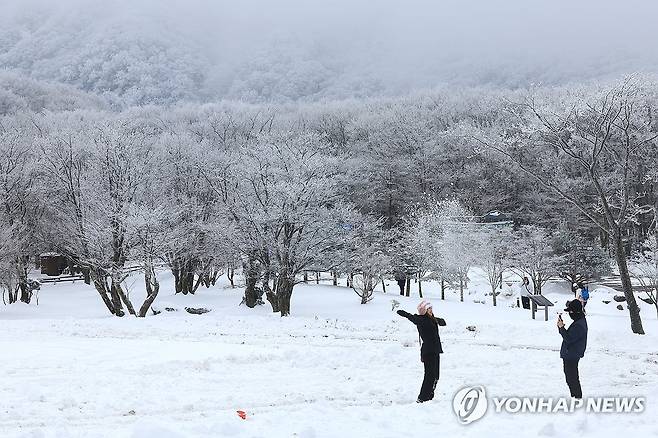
[140,52]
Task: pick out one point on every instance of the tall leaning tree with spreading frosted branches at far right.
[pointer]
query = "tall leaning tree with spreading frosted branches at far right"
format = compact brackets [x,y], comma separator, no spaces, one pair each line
[583,147]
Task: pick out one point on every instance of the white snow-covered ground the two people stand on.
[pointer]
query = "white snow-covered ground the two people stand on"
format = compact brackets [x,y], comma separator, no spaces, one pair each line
[334,368]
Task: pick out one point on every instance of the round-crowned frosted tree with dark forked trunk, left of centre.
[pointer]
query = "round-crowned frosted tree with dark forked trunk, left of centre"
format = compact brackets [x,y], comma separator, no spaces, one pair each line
[284,206]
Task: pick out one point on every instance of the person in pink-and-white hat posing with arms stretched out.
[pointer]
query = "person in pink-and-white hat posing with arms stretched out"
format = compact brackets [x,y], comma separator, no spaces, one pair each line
[428,330]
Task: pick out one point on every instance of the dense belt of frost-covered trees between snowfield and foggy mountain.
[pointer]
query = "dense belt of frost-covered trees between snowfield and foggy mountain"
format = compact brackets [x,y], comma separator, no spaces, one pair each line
[372,188]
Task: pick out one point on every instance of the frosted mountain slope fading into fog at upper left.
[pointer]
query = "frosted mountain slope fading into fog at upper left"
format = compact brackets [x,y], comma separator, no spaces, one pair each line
[119,59]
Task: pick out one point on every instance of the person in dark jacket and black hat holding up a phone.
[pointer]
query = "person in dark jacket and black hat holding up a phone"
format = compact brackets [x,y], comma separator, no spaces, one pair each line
[574,343]
